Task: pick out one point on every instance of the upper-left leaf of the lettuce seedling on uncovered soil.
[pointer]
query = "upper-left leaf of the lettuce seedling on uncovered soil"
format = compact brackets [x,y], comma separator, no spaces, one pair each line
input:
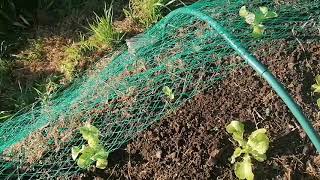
[236,128]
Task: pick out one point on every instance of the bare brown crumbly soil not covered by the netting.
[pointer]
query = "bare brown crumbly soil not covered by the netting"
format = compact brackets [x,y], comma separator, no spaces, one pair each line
[193,143]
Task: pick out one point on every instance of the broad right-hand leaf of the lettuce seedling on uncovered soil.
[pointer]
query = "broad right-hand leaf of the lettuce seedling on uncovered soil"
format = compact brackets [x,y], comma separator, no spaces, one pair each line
[259,141]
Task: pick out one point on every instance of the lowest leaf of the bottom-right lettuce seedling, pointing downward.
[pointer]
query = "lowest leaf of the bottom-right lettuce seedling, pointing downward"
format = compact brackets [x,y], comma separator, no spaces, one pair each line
[243,169]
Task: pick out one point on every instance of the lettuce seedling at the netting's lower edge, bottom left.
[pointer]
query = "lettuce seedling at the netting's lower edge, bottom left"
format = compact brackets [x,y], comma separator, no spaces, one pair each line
[93,152]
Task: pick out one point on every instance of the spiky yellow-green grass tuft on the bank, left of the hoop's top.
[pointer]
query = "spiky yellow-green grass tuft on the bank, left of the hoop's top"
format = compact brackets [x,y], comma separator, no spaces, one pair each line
[103,33]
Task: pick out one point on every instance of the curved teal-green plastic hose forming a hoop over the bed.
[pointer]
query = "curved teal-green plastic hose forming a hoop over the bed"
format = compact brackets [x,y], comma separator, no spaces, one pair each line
[258,67]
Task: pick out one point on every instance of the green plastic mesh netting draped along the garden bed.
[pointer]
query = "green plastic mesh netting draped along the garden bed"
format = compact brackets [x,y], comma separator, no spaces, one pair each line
[123,95]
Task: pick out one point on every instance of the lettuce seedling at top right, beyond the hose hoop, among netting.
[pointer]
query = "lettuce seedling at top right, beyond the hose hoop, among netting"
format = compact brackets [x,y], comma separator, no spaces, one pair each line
[256,19]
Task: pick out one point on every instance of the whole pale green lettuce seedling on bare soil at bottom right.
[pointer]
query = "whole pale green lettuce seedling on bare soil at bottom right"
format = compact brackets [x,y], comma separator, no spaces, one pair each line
[255,147]
